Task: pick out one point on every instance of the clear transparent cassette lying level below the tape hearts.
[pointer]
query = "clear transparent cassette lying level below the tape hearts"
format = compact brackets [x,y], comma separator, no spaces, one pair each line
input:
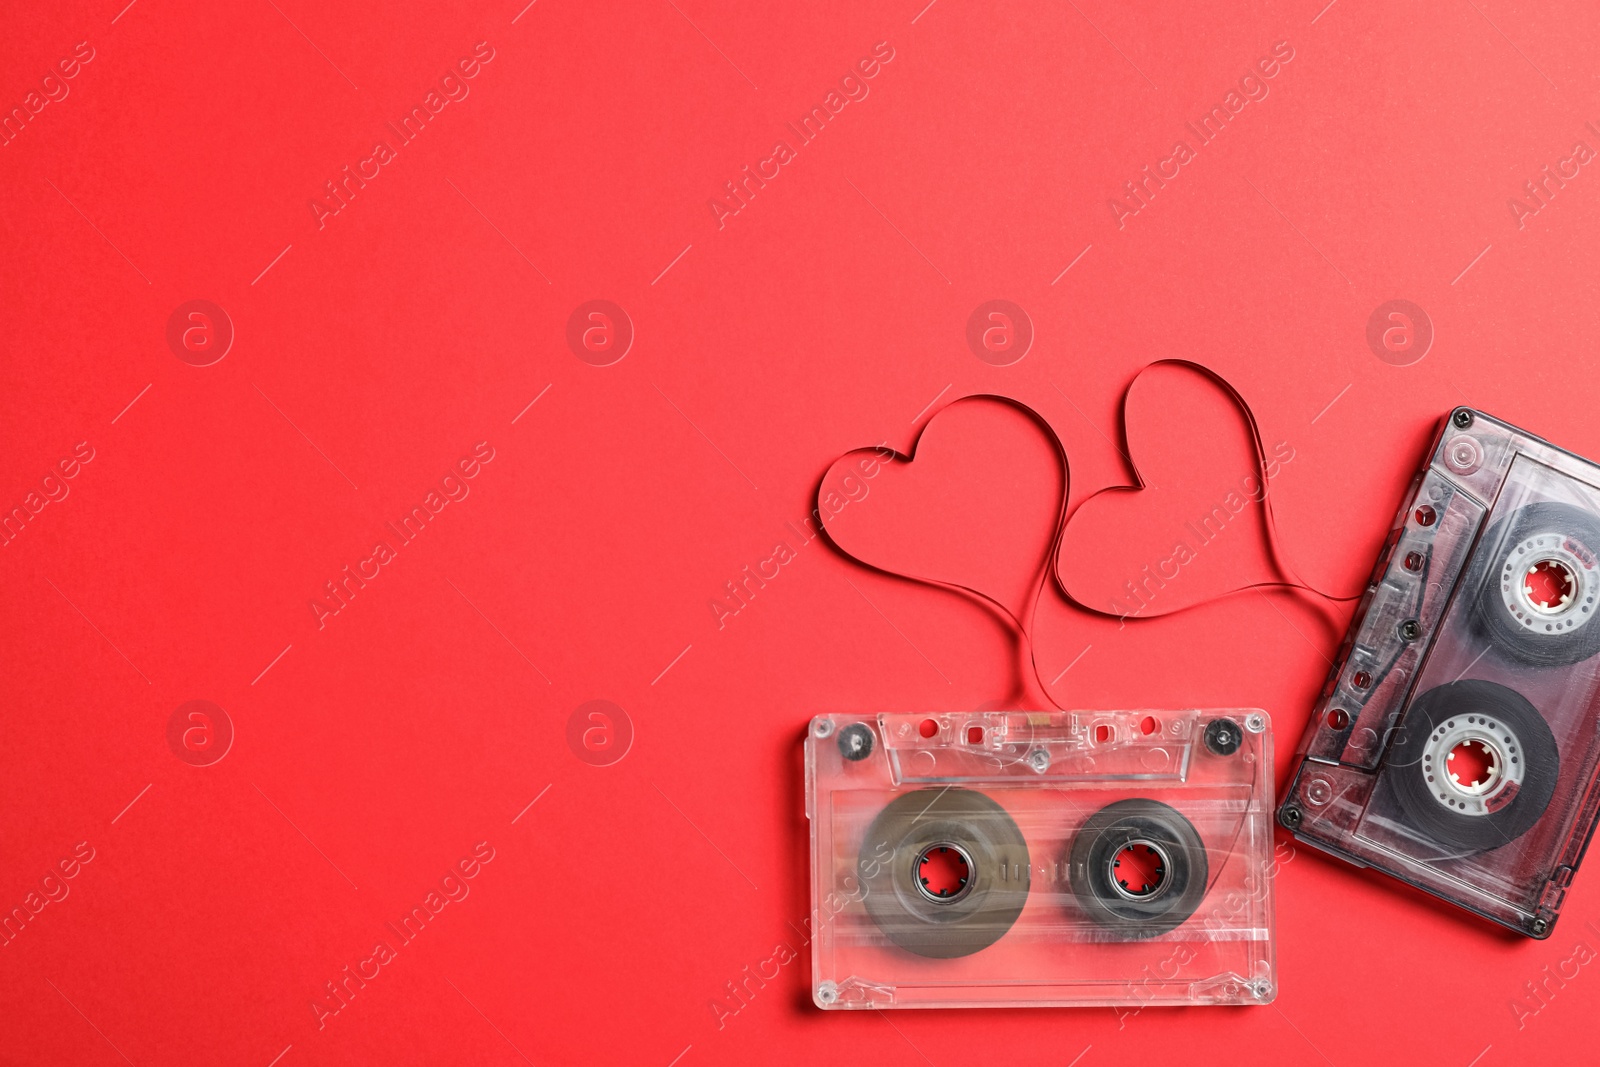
[1012,860]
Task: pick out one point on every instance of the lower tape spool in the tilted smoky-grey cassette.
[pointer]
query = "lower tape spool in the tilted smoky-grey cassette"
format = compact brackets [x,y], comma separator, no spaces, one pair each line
[1514,765]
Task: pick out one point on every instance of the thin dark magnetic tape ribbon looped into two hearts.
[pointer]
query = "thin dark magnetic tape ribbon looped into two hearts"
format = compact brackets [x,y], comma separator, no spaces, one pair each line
[1049,572]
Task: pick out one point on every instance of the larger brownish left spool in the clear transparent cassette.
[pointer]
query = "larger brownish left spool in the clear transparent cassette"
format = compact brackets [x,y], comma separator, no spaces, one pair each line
[945,871]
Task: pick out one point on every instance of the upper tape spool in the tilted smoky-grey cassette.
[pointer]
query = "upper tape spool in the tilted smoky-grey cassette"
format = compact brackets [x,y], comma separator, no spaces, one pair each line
[1540,585]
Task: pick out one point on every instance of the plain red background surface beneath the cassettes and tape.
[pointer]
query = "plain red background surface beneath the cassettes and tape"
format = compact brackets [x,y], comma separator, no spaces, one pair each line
[378,350]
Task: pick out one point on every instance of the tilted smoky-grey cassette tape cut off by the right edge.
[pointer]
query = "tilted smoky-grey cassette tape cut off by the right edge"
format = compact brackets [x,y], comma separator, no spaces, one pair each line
[1457,745]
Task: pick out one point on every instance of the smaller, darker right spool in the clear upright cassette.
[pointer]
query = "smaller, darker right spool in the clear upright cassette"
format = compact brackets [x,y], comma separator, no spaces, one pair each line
[1170,858]
